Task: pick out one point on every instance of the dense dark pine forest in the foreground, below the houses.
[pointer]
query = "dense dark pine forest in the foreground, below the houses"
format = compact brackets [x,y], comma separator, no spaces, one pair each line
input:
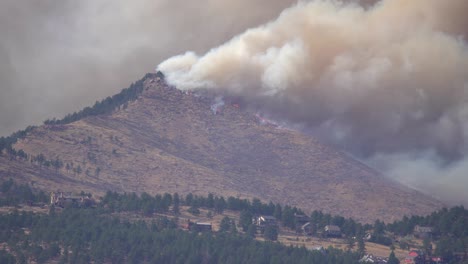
[78,235]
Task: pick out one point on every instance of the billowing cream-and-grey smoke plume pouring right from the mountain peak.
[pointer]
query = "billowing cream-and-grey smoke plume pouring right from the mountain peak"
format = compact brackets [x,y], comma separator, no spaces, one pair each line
[389,82]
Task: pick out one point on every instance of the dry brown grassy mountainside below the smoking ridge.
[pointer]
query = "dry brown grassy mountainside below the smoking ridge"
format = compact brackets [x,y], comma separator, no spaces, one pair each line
[170,141]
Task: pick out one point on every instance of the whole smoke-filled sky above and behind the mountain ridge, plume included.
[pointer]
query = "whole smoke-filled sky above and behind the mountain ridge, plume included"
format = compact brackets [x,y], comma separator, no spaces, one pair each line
[59,57]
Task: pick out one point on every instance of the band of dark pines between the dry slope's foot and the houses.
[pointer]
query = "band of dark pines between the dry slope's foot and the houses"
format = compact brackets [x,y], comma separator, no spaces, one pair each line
[450,226]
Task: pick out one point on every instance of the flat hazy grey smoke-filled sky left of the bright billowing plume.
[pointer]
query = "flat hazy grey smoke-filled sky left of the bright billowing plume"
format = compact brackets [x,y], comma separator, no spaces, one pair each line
[57,57]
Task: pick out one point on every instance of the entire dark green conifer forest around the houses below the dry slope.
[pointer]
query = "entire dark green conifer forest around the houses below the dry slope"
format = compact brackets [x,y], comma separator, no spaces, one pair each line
[78,235]
